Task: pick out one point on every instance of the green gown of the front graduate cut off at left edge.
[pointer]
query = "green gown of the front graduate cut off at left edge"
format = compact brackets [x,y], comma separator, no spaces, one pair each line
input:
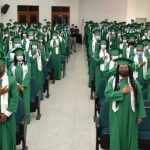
[8,128]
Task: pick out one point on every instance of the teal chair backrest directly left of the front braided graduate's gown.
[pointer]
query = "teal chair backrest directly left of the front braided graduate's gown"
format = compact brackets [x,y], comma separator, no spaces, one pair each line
[104,114]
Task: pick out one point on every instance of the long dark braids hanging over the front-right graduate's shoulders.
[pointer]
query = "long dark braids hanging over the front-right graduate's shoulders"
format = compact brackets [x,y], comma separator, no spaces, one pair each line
[132,81]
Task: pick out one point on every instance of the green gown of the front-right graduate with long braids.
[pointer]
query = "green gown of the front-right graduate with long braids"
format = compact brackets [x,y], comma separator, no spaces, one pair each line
[123,126]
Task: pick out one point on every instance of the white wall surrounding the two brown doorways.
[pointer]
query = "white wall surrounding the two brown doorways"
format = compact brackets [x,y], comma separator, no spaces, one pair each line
[45,9]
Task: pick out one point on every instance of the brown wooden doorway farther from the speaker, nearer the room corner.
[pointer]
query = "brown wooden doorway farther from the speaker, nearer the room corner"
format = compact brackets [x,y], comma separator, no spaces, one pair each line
[60,14]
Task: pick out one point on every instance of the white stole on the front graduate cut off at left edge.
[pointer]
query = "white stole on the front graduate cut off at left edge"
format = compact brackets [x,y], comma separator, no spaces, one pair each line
[4,98]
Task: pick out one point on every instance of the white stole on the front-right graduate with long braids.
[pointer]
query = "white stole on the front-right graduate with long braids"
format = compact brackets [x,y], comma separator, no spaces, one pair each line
[115,108]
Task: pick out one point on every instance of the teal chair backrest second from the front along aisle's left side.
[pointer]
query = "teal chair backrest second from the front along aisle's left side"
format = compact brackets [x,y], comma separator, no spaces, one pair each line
[34,89]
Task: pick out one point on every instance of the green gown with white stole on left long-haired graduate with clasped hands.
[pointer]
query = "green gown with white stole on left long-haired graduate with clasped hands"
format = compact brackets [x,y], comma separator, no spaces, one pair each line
[22,74]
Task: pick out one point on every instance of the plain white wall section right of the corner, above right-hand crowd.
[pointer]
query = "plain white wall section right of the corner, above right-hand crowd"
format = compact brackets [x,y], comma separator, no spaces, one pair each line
[98,10]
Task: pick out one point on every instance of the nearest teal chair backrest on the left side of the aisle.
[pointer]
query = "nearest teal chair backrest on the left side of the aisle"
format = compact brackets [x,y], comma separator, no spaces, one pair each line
[20,114]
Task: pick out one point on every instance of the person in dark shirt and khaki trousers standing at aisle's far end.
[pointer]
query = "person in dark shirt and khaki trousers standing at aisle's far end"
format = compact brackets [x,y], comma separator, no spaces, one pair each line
[73,37]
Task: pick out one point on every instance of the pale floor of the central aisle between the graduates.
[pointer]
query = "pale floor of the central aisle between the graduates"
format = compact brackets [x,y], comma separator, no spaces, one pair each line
[67,117]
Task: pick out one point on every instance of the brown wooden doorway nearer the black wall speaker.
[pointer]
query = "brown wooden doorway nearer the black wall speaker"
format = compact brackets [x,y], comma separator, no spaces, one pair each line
[28,14]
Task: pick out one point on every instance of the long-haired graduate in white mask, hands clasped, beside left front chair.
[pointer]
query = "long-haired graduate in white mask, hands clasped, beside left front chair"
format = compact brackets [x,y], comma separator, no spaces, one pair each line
[22,73]
